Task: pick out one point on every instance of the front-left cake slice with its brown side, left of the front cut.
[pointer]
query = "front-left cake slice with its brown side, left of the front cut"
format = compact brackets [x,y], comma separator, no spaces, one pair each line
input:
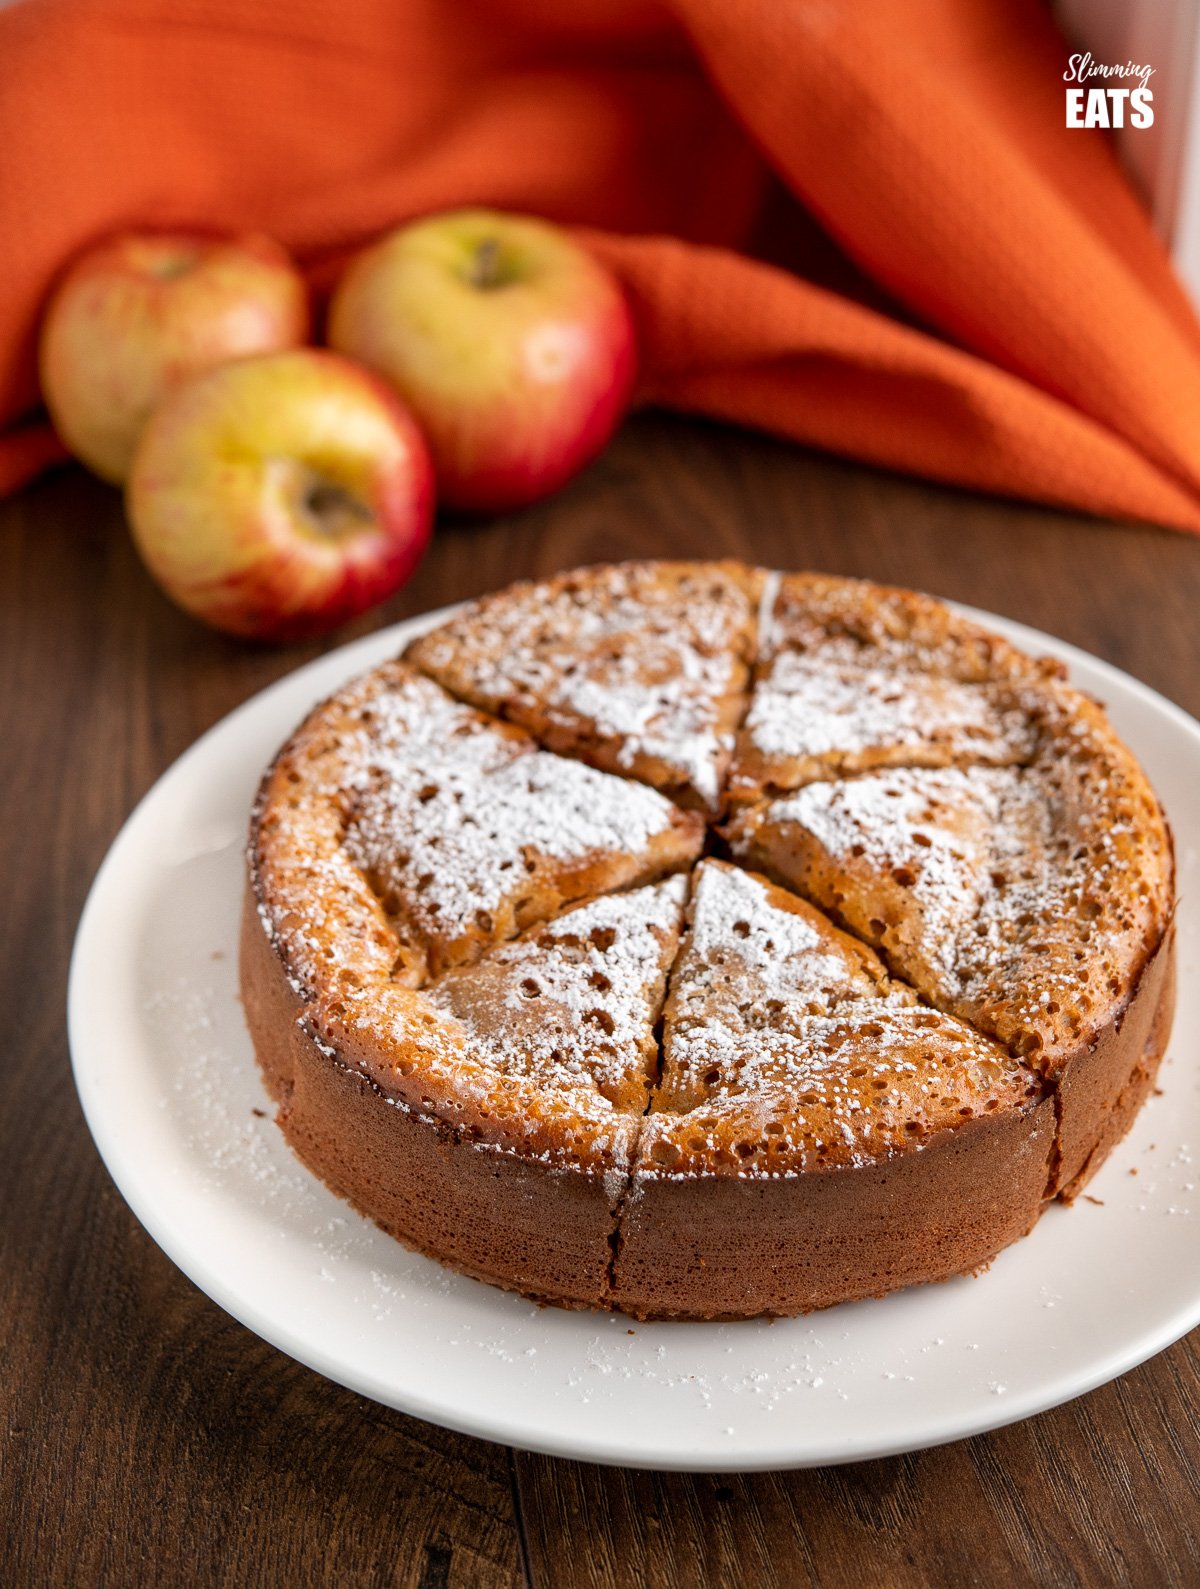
[494,1118]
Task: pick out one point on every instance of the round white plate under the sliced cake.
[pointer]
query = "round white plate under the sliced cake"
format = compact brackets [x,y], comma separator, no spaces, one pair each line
[171,1092]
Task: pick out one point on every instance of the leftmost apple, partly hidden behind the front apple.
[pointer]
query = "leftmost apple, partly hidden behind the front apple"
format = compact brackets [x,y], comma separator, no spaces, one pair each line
[141,314]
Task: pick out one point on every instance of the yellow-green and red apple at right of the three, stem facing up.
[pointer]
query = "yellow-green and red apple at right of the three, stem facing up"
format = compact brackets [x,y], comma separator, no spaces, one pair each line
[508,341]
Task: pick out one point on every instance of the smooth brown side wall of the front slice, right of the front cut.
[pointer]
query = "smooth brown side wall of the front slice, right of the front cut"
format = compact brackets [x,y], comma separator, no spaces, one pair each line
[834,1235]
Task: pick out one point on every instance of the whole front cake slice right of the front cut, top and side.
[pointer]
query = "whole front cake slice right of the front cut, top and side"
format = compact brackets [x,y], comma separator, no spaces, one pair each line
[805,1097]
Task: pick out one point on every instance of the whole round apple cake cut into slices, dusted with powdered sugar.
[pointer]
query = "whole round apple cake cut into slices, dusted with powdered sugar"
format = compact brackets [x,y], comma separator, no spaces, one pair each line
[705,943]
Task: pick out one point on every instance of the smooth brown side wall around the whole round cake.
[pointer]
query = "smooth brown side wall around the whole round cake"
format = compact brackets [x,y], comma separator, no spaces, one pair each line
[659,1248]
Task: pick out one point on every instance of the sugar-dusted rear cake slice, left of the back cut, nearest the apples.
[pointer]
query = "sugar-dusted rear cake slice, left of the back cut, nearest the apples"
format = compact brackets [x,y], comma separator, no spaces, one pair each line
[638,668]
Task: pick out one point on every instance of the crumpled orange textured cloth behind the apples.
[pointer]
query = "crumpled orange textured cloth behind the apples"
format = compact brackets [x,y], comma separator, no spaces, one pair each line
[1010,320]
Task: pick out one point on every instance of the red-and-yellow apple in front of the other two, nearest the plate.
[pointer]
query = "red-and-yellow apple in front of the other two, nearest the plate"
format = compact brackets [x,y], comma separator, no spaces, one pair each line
[279,497]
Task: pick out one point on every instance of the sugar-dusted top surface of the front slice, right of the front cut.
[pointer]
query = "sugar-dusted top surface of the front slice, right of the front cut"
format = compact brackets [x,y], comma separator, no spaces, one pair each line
[786,1045]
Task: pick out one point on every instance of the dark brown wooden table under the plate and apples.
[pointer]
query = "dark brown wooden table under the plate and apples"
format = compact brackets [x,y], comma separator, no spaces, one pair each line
[152,1440]
